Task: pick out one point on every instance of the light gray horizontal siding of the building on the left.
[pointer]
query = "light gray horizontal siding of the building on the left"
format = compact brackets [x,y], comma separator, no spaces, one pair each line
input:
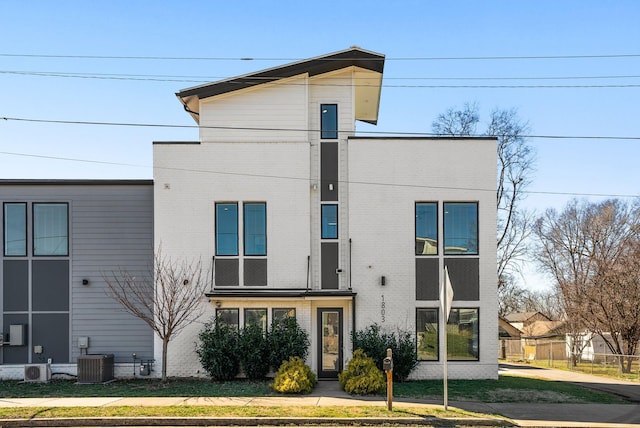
[111,228]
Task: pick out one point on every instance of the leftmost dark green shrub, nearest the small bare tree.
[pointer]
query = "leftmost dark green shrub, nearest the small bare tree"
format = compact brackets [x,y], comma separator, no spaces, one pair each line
[218,350]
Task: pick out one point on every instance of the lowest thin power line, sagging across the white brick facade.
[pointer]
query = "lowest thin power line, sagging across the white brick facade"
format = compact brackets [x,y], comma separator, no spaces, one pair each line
[306,179]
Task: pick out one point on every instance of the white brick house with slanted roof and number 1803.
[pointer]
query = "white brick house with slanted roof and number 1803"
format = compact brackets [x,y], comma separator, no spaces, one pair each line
[299,215]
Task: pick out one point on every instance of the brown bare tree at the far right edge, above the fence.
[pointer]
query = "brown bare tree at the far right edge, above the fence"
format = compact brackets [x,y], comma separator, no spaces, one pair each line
[593,252]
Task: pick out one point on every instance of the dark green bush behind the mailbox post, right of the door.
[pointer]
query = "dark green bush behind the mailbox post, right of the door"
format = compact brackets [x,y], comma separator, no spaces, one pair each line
[374,342]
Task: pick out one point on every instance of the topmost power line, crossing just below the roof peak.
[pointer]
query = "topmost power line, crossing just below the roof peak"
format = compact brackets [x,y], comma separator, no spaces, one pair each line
[417,58]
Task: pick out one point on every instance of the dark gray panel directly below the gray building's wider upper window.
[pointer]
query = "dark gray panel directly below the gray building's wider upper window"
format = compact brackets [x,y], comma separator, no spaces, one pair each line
[50,285]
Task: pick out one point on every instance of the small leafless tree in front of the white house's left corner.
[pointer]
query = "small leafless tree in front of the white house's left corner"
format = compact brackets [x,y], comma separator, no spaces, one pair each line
[167,298]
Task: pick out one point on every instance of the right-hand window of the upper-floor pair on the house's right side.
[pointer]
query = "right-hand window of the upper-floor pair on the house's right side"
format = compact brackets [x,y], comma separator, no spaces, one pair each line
[460,228]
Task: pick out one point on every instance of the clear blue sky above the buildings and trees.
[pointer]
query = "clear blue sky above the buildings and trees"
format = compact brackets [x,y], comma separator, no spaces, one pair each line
[571,69]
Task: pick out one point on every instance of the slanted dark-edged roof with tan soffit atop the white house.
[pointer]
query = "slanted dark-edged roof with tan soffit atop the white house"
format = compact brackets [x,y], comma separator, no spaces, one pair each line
[367,90]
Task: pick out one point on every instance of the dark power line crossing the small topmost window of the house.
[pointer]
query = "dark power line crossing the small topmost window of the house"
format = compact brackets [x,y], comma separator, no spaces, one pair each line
[389,134]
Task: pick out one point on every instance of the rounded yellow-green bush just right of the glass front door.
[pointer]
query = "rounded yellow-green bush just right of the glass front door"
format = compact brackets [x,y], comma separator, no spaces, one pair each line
[361,376]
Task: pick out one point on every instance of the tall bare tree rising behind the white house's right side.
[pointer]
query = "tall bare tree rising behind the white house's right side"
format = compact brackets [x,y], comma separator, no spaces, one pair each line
[515,167]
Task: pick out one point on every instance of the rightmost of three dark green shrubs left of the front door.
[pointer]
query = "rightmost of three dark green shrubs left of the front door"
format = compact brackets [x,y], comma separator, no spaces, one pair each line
[287,339]
